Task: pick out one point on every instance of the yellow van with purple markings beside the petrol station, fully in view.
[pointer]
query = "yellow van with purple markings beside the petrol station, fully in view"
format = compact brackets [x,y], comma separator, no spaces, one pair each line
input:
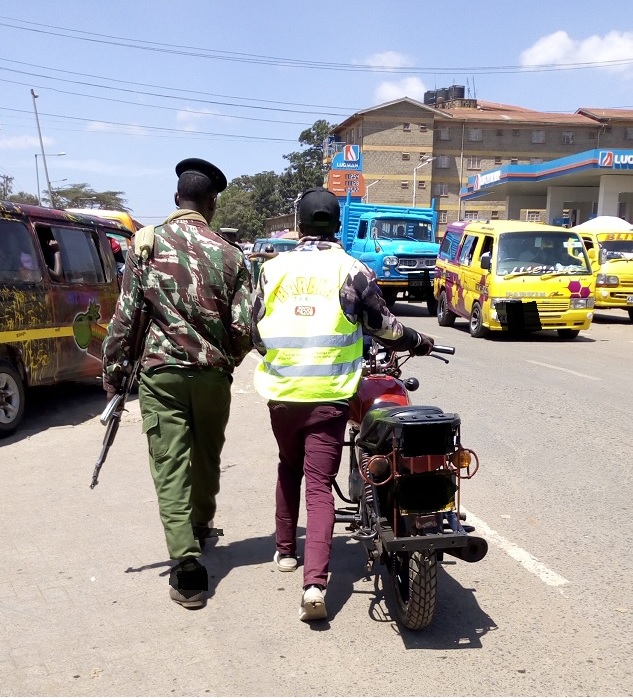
[514,275]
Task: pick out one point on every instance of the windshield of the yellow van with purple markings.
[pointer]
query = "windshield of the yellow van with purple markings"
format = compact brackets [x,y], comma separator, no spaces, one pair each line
[541,253]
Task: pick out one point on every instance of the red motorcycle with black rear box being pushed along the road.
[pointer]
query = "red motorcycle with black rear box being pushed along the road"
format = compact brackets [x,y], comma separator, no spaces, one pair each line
[406,464]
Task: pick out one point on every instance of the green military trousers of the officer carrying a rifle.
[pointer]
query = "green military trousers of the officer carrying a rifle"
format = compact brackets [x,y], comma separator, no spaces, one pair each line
[185,413]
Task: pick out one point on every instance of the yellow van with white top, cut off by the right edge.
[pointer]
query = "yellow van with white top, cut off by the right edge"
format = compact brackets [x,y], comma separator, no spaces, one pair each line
[612,239]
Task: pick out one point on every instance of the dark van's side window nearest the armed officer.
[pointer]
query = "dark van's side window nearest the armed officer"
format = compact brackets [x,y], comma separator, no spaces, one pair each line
[80,255]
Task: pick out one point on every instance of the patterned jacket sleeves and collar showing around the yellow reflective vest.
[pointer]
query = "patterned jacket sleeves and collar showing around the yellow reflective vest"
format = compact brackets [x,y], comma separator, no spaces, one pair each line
[360,298]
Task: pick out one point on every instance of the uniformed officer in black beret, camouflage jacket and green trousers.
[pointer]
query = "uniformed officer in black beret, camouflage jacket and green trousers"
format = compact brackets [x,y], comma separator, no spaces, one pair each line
[198,292]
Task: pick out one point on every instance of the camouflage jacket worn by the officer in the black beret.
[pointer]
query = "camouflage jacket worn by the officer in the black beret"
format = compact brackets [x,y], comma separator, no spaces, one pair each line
[200,297]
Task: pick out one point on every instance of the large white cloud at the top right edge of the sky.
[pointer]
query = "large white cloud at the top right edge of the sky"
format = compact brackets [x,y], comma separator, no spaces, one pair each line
[559,48]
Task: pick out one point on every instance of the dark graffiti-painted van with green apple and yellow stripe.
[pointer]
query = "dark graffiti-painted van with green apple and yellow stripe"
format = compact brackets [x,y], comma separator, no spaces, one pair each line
[51,326]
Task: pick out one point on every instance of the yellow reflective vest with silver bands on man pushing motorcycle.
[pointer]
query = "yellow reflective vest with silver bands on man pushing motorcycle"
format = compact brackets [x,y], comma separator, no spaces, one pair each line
[313,352]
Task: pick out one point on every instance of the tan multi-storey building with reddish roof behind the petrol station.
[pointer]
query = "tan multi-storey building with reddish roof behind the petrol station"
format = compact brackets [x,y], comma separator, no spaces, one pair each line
[414,152]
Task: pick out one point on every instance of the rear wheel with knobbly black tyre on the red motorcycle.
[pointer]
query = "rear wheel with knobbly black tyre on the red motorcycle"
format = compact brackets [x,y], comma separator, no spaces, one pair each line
[414,581]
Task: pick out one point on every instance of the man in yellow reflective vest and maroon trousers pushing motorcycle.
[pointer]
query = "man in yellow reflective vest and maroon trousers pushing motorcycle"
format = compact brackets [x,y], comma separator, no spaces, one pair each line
[310,310]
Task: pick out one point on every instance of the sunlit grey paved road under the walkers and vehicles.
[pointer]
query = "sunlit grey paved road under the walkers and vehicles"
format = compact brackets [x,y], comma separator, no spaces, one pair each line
[83,582]
